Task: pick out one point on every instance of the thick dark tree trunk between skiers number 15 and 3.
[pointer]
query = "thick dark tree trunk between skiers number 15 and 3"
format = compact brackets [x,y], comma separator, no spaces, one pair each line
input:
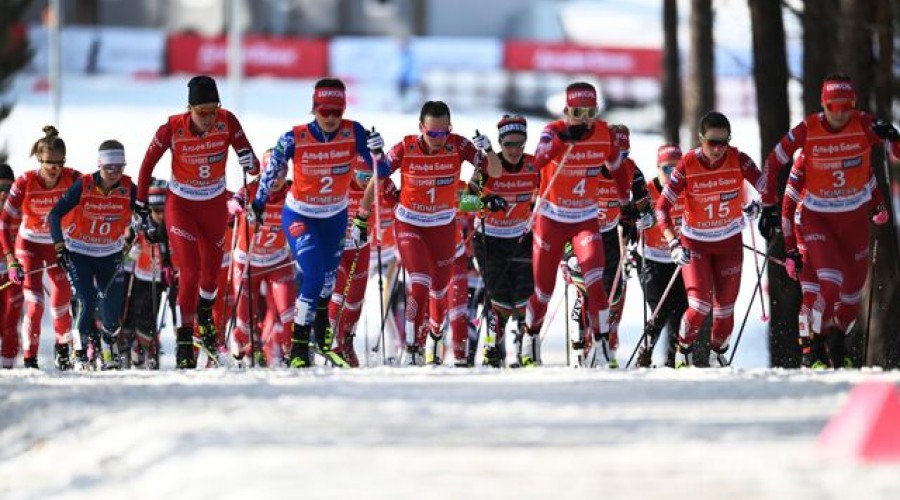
[770,74]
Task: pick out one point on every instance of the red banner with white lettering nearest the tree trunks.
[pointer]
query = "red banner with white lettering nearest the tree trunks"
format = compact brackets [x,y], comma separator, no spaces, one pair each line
[571,58]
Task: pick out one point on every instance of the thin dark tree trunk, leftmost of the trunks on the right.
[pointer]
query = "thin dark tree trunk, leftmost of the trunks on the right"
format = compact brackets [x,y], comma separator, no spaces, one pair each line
[671,91]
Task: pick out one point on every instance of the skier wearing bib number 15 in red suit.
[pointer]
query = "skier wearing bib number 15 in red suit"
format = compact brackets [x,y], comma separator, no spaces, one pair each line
[710,249]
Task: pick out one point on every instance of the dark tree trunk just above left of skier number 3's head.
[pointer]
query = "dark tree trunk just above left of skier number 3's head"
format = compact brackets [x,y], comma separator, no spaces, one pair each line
[819,27]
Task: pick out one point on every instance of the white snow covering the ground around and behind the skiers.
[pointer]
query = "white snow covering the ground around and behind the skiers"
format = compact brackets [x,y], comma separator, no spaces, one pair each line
[744,432]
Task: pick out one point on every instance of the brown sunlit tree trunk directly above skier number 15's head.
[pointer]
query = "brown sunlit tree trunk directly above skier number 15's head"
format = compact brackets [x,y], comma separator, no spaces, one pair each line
[701,80]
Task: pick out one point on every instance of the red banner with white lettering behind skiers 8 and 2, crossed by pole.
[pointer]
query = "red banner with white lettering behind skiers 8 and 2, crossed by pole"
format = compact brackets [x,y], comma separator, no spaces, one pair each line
[263,56]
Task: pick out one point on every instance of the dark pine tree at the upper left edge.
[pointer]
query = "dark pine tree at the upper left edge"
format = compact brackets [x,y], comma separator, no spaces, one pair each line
[14,49]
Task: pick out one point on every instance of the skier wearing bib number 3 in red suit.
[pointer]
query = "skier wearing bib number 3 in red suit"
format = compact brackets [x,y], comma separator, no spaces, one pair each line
[840,186]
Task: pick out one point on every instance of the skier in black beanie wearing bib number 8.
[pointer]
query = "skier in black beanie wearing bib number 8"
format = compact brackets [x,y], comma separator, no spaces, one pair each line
[195,210]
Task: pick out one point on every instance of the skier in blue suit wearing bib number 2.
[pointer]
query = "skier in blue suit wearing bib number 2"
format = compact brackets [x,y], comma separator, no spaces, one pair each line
[315,212]
